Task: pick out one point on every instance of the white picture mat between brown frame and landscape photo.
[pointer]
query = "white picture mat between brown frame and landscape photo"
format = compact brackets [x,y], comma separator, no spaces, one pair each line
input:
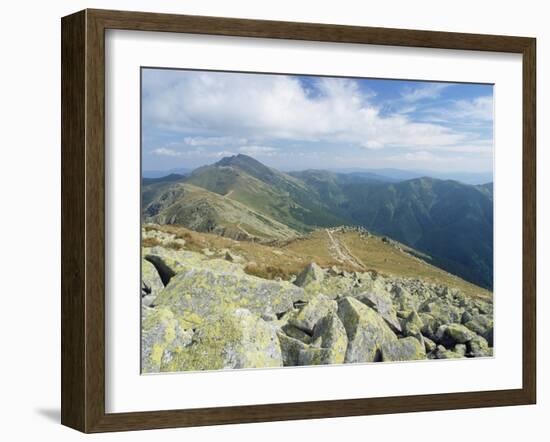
[127,390]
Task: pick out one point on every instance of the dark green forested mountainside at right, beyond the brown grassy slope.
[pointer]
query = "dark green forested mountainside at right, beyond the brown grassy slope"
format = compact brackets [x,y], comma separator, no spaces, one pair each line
[450,221]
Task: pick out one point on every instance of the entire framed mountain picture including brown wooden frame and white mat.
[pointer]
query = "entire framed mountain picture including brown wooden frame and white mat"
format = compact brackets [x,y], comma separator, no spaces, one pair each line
[267,220]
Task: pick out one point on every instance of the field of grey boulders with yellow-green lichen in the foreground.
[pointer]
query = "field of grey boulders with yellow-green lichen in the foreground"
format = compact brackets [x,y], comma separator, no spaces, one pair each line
[203,312]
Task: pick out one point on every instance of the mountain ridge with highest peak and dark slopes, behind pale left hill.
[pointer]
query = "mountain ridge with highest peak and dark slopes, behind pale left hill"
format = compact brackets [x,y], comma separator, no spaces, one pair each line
[448,220]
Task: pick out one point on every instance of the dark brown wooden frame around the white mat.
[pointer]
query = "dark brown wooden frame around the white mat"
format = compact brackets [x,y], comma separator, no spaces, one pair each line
[83,216]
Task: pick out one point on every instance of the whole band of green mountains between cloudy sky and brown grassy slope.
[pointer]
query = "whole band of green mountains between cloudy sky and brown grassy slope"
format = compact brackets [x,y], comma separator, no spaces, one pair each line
[240,197]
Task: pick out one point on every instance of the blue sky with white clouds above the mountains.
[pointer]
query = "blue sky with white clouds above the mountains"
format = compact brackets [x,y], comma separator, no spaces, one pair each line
[192,118]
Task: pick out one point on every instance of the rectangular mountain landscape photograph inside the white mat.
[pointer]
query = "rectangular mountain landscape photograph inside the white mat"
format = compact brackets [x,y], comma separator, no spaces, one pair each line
[301,220]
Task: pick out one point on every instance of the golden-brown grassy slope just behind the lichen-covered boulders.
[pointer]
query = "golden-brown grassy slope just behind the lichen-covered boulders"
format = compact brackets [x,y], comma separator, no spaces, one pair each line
[291,257]
